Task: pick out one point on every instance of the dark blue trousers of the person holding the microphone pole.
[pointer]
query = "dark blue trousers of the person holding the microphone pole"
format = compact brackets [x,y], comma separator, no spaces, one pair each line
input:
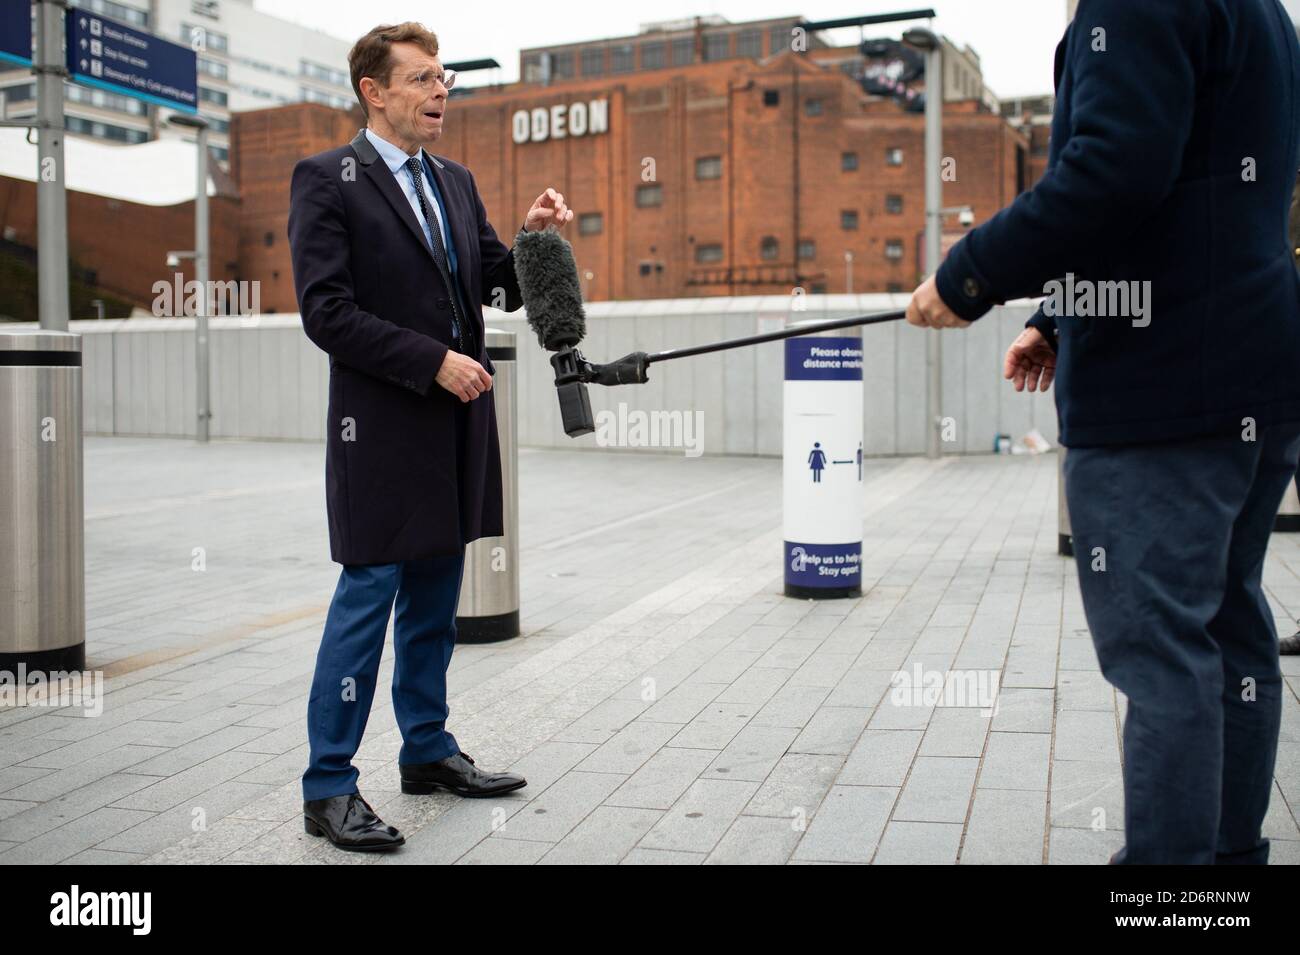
[1169,542]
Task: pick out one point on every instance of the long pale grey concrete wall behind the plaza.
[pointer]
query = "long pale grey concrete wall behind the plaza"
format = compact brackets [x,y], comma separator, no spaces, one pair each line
[270,383]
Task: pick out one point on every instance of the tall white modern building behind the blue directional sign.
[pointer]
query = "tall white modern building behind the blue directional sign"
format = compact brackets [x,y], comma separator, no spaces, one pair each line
[248,60]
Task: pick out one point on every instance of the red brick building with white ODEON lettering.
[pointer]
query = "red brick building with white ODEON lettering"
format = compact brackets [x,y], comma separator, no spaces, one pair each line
[744,176]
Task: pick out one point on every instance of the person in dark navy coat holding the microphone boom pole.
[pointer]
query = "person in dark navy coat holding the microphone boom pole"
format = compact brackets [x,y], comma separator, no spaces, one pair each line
[1175,151]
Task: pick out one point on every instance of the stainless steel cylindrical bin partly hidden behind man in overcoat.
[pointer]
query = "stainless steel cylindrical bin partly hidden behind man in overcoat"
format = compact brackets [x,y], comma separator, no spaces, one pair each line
[489,593]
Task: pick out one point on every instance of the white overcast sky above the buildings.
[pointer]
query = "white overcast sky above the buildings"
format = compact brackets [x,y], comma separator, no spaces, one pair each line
[1015,38]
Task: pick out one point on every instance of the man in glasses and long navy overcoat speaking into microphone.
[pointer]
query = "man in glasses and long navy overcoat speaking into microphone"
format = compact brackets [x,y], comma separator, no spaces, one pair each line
[393,261]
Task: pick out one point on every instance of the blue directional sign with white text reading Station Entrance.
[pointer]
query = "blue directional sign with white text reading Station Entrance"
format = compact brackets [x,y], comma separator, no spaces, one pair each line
[114,57]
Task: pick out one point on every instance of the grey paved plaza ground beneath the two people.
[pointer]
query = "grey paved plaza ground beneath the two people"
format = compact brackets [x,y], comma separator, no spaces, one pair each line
[666,702]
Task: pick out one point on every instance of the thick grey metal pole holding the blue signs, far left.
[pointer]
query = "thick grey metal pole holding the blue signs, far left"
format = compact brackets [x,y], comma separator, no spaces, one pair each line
[51,184]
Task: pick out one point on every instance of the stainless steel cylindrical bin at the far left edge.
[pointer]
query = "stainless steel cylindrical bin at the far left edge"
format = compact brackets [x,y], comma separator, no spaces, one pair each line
[42,523]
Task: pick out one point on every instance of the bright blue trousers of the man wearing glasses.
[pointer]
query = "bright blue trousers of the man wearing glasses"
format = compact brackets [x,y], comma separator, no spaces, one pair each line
[348,665]
